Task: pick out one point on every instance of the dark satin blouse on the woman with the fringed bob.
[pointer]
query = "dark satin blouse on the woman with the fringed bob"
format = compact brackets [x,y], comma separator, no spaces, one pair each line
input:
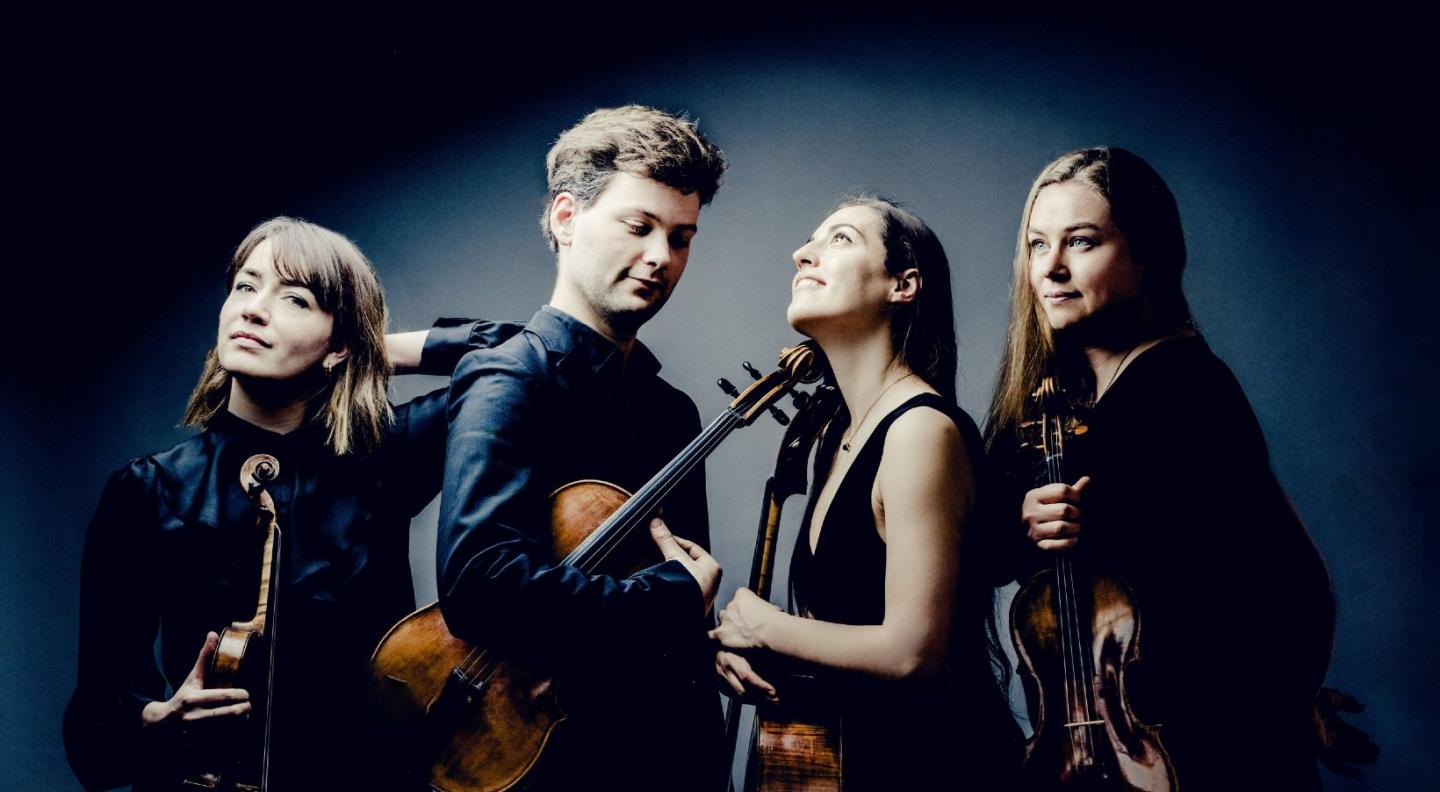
[174,554]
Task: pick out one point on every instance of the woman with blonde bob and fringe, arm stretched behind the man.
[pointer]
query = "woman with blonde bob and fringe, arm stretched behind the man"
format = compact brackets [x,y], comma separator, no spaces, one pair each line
[300,372]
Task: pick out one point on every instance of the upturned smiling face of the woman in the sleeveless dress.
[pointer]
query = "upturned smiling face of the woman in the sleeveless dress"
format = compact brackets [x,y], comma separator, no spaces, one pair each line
[842,277]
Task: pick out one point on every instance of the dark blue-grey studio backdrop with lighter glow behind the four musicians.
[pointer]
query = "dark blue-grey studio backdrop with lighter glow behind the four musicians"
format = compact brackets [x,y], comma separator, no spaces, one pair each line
[145,158]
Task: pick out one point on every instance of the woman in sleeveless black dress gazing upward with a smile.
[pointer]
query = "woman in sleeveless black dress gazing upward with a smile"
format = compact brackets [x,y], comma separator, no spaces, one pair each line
[889,601]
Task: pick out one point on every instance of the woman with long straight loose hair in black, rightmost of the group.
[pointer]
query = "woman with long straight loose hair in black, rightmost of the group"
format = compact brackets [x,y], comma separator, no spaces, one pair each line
[1170,485]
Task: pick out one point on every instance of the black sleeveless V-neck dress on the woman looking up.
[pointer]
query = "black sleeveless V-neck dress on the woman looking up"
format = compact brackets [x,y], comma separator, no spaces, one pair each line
[960,735]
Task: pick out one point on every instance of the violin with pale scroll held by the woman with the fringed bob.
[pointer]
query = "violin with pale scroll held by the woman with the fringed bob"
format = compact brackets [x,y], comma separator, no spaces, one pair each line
[246,659]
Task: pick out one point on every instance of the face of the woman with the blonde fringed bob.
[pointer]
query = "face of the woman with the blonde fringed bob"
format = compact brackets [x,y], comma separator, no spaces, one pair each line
[273,329]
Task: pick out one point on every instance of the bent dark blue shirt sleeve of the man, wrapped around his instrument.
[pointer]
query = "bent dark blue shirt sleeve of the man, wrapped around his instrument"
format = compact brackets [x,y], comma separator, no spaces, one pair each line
[498,581]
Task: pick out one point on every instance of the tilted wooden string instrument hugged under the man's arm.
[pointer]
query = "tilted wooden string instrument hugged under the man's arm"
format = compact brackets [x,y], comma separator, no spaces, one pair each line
[487,719]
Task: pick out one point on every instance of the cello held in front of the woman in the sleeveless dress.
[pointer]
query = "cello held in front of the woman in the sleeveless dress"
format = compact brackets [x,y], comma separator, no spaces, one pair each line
[797,745]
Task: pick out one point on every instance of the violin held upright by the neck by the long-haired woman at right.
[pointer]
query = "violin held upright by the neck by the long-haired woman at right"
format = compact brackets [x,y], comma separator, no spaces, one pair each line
[1076,630]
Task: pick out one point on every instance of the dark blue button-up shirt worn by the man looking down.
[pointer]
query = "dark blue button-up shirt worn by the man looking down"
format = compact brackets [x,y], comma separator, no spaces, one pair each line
[554,405]
